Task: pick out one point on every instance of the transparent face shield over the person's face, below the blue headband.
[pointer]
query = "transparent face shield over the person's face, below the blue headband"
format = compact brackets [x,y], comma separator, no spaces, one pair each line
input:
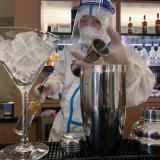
[91,22]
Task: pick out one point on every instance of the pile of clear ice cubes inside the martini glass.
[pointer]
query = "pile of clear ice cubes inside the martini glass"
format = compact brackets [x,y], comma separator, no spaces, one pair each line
[24,54]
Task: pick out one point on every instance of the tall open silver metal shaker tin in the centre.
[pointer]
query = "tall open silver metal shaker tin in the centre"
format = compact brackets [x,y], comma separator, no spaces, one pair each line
[103,103]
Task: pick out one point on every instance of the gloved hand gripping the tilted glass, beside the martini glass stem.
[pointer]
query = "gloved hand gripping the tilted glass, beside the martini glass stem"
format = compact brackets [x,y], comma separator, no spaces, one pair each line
[47,89]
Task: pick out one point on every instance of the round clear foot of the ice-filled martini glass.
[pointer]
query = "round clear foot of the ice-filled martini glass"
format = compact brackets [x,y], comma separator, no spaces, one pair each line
[17,152]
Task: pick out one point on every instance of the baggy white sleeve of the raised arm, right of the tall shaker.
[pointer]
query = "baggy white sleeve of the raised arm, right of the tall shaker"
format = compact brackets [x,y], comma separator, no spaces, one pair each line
[139,79]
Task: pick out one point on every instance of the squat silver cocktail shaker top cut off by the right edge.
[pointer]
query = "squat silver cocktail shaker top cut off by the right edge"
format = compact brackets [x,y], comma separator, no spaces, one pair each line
[146,130]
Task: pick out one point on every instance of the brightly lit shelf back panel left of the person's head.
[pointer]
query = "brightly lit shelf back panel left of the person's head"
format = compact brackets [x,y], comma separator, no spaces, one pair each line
[56,12]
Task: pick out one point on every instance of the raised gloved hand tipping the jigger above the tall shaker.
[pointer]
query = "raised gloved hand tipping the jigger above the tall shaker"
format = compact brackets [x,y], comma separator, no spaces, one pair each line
[117,54]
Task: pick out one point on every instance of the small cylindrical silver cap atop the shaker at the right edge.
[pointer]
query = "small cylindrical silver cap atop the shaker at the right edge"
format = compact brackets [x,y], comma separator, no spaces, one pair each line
[151,113]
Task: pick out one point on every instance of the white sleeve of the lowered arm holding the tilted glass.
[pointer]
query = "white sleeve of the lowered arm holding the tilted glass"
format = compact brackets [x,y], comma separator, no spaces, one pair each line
[57,78]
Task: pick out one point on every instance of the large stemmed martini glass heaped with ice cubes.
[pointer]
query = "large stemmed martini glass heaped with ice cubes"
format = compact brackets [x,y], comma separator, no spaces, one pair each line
[23,55]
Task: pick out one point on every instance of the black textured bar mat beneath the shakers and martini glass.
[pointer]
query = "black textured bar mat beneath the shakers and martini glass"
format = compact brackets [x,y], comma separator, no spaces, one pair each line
[128,150]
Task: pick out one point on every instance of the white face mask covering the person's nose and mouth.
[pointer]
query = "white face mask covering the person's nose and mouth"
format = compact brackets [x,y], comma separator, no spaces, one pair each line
[90,33]
